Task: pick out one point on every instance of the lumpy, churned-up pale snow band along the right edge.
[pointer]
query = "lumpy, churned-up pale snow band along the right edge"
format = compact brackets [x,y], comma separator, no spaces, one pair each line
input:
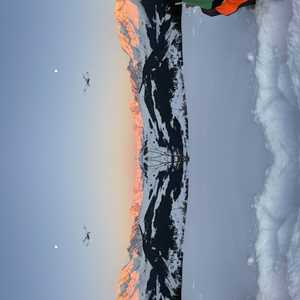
[277,110]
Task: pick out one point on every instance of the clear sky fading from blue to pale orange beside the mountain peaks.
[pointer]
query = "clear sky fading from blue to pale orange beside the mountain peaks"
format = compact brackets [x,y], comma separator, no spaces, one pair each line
[66,156]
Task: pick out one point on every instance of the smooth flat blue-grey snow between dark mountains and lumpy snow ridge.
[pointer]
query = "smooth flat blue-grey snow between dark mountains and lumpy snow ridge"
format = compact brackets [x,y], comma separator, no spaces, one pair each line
[228,156]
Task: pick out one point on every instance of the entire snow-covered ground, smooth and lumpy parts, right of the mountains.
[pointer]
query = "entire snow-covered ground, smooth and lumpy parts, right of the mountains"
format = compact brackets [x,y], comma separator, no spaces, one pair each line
[242,77]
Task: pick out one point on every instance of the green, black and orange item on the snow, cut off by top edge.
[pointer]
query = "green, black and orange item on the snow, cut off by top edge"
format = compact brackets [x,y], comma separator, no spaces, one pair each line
[214,8]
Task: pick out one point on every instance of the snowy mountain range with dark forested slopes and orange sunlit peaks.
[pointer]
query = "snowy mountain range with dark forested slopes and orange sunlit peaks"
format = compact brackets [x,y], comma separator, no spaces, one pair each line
[150,33]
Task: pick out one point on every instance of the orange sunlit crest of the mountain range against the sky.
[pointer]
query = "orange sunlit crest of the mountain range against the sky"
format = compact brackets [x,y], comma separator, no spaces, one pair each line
[127,14]
